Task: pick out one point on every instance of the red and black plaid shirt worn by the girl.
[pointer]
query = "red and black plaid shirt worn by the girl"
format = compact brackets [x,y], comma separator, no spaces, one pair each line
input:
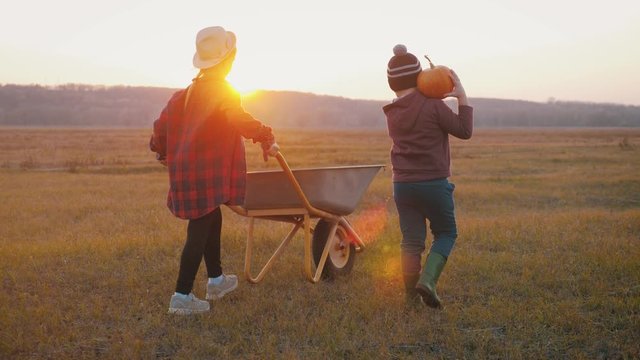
[203,146]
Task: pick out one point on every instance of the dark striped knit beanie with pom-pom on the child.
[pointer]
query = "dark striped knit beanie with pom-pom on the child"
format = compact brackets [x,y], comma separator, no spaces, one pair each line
[403,69]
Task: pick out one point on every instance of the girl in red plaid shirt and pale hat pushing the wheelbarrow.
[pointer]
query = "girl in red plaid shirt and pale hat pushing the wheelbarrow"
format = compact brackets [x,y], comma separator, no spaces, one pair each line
[198,136]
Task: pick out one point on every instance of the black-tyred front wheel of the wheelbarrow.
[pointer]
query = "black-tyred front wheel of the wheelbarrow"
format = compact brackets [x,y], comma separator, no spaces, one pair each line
[342,252]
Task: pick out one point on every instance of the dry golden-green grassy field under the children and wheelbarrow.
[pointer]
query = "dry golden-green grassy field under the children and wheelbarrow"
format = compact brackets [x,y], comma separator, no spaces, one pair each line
[547,264]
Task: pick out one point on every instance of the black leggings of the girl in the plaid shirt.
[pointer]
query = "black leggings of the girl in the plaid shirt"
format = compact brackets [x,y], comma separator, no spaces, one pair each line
[203,238]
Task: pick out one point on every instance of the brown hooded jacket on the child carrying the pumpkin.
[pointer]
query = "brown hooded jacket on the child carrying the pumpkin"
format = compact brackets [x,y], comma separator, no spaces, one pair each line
[420,128]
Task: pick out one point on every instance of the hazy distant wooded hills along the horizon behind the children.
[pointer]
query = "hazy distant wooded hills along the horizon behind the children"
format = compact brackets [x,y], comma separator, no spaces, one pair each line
[124,106]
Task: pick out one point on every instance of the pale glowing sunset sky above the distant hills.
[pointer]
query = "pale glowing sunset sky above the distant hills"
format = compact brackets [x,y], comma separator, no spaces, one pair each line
[567,50]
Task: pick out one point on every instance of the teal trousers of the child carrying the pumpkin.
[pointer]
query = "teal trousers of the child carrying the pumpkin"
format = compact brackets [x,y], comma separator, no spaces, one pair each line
[417,203]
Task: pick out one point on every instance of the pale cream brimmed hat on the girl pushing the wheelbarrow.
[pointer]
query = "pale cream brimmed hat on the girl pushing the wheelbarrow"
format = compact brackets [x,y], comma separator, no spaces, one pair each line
[213,44]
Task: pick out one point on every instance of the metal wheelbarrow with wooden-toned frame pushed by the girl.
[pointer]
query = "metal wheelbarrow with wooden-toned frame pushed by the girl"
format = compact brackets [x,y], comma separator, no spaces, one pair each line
[300,196]
